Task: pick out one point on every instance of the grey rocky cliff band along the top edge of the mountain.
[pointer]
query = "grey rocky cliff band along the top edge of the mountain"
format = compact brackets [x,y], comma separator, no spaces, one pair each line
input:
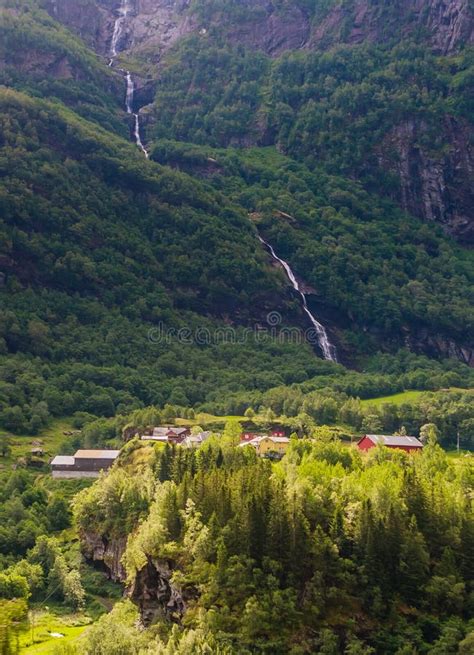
[155,25]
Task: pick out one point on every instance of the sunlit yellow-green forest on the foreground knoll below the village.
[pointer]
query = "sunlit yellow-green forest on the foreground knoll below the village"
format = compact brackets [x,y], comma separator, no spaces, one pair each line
[323,553]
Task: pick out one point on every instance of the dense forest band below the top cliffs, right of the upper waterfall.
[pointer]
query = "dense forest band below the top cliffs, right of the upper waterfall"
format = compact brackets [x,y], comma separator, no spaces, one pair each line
[328,109]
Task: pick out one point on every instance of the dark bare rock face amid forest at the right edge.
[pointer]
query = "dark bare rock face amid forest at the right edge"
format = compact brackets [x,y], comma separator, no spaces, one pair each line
[435,184]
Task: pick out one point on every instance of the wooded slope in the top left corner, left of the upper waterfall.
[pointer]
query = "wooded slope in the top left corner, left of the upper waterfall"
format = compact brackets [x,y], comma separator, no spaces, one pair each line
[44,59]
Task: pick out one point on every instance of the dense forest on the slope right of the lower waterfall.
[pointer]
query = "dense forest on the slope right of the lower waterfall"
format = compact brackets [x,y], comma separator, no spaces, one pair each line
[368,260]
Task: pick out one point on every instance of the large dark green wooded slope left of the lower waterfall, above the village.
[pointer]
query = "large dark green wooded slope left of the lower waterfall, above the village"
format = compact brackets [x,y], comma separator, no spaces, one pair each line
[88,294]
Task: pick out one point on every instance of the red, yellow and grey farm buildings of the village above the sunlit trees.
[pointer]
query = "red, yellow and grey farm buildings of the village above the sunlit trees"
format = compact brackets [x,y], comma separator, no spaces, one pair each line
[272,445]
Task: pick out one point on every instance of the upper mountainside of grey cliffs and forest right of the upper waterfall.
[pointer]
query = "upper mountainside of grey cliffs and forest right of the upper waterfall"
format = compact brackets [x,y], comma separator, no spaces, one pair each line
[401,113]
